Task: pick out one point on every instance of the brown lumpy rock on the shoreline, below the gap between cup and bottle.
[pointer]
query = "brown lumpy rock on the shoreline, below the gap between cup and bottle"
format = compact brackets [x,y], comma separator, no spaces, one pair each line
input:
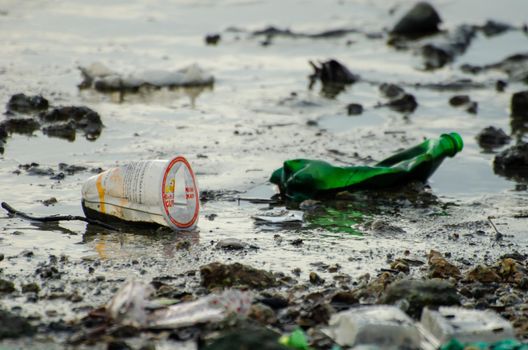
[222,275]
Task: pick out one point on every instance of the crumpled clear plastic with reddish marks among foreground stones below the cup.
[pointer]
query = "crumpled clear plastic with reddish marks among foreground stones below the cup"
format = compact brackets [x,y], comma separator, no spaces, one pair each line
[212,308]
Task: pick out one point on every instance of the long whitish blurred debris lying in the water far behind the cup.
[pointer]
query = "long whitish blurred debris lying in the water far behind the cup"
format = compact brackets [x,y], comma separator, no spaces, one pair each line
[102,78]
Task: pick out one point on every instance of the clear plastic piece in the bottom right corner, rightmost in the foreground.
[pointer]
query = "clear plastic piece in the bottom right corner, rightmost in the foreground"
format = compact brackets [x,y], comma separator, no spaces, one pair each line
[466,325]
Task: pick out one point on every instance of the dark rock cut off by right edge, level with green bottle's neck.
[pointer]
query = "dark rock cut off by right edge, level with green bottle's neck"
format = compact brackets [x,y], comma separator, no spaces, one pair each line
[512,162]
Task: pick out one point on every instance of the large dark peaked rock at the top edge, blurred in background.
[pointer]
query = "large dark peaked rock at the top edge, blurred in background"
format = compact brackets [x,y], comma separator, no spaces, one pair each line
[421,20]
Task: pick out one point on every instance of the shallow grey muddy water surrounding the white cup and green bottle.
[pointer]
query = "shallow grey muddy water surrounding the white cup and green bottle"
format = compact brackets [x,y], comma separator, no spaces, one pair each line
[238,132]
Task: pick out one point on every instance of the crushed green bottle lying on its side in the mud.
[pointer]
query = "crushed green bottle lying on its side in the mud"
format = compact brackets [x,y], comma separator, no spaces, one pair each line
[301,179]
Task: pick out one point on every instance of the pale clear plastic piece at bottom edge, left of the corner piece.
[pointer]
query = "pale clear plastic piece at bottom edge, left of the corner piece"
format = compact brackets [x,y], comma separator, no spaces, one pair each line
[384,326]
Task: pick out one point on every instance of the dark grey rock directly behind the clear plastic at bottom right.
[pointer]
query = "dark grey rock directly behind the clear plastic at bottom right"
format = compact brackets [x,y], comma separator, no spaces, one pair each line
[419,294]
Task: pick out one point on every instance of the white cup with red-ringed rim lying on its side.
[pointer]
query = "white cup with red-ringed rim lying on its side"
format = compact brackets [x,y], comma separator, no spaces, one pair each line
[147,191]
